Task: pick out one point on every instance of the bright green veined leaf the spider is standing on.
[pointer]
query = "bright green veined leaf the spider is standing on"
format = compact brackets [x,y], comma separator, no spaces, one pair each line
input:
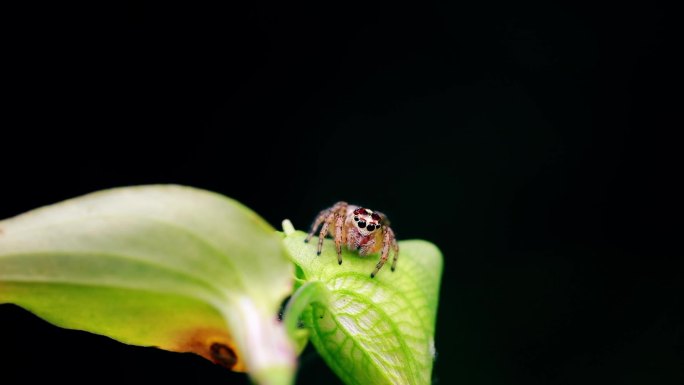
[369,330]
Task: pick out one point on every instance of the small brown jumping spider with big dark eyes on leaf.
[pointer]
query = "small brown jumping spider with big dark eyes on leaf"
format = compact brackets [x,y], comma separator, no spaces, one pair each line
[361,229]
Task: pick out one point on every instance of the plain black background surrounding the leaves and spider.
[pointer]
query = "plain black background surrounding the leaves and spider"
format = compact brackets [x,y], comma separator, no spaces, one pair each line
[530,143]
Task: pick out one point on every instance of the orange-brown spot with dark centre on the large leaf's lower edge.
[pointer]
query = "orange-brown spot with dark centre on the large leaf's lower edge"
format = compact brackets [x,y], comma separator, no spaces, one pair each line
[213,344]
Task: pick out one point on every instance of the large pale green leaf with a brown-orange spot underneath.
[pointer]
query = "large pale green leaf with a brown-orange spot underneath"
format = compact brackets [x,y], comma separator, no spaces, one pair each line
[174,267]
